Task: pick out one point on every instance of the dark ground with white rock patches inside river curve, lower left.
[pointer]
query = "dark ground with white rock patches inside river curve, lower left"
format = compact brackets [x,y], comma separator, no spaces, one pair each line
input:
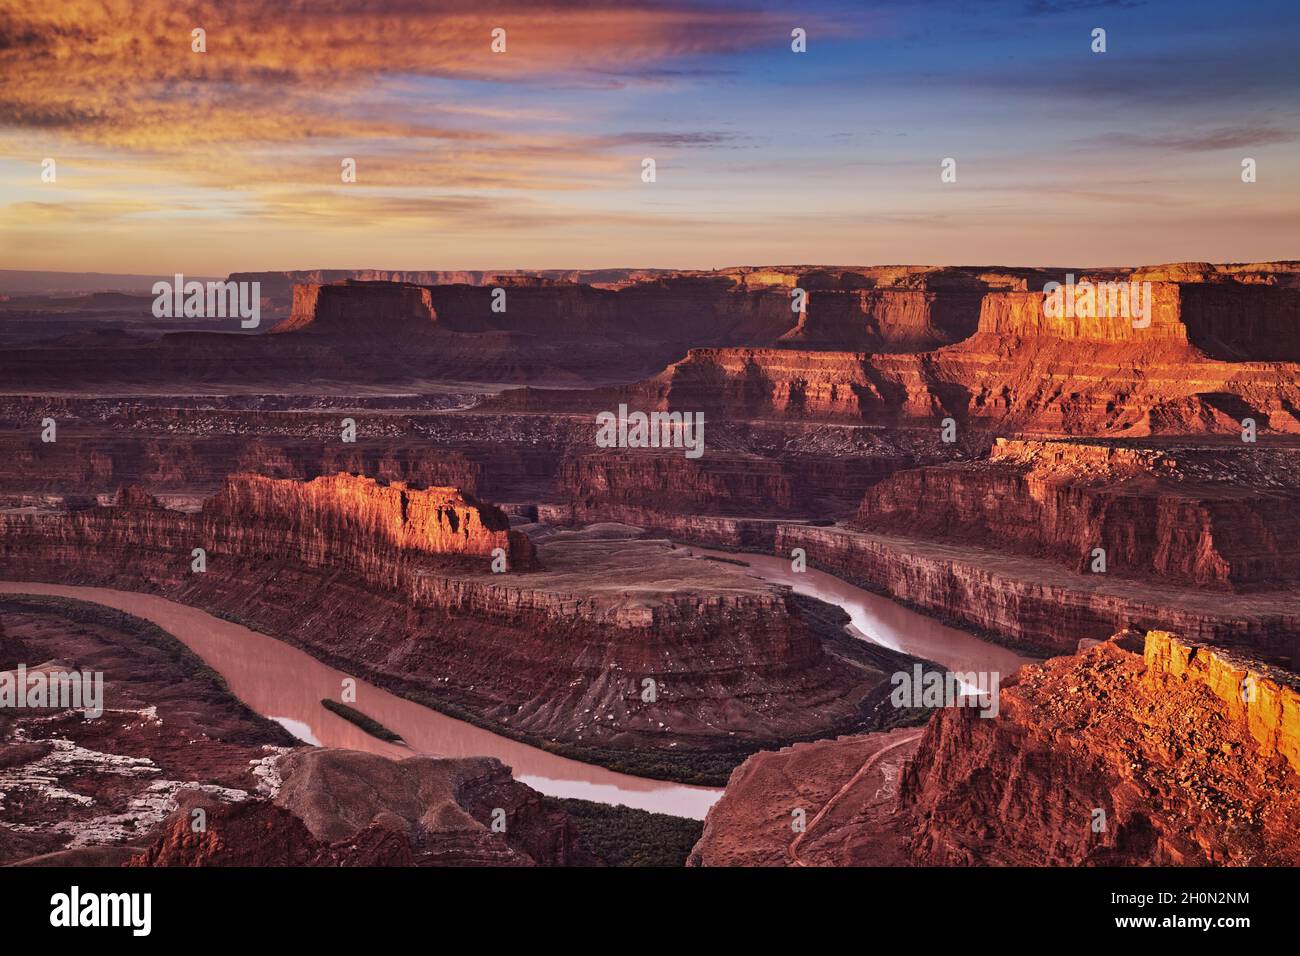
[76,790]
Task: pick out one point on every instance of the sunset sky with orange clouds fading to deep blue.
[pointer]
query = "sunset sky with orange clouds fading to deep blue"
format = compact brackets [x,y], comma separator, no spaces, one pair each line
[172,161]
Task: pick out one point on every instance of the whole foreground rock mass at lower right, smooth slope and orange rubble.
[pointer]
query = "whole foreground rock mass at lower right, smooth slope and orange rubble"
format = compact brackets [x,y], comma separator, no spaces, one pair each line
[1138,751]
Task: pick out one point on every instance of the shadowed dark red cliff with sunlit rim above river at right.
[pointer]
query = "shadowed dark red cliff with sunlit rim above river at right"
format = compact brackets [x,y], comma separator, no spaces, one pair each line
[1224,518]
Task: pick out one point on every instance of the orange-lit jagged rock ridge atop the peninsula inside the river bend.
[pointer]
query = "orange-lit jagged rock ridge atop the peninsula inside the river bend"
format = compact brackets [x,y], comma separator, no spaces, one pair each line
[352,514]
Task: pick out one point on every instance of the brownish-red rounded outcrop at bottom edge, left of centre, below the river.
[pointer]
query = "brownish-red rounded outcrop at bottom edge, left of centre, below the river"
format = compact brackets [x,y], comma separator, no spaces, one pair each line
[346,808]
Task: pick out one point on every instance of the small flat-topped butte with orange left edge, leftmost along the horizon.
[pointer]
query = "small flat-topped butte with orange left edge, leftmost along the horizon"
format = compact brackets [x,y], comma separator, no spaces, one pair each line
[371,310]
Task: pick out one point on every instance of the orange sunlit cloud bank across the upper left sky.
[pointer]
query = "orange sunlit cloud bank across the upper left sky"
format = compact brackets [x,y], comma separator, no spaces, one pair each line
[123,72]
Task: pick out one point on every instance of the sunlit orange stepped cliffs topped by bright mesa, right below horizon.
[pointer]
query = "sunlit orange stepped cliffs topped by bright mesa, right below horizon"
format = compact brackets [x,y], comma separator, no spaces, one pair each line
[1095,374]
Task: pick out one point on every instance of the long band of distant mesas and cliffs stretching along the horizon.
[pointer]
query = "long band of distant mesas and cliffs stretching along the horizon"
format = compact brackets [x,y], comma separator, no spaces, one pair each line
[1085,374]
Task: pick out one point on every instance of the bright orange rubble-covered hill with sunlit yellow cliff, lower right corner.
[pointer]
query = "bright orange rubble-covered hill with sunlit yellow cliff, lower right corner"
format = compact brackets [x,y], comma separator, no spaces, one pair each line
[1115,758]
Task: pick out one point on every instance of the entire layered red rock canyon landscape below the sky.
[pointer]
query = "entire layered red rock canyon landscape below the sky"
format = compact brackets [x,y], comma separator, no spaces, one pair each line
[1111,504]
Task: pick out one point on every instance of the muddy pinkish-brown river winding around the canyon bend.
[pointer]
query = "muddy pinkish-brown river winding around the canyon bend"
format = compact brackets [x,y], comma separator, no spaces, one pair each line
[288,685]
